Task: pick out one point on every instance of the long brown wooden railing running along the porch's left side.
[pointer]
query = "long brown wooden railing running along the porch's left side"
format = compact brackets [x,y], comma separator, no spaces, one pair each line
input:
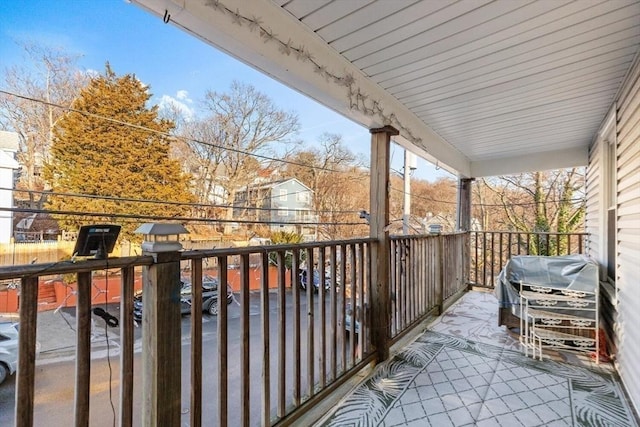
[277,352]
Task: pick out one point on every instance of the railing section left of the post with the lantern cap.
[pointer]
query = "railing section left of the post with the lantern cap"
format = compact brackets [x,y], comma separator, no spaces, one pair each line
[29,277]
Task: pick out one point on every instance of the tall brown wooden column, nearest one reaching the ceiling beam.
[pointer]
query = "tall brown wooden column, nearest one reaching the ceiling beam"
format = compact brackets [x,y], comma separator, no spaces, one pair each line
[380,302]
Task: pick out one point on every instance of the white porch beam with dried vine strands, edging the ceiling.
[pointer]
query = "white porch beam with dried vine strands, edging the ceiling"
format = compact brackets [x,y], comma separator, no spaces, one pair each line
[258,33]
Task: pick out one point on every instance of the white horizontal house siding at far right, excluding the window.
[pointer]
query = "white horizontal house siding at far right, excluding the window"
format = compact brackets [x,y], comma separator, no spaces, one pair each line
[628,234]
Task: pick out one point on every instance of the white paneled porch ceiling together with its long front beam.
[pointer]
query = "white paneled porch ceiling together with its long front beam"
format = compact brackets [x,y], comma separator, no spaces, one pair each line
[482,87]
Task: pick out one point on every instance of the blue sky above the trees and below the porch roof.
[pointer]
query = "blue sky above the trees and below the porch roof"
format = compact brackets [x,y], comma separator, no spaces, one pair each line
[176,66]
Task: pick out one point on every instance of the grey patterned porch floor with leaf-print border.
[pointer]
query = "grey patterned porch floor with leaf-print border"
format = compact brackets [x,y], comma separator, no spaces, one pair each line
[467,371]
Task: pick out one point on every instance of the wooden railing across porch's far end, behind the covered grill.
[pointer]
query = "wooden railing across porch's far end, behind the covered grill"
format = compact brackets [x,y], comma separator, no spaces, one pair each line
[490,250]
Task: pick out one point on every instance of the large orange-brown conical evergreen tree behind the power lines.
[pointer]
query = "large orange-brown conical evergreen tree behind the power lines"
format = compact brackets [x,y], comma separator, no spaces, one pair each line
[111,145]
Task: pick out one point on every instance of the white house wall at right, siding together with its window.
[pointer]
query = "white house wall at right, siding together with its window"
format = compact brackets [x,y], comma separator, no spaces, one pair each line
[627,257]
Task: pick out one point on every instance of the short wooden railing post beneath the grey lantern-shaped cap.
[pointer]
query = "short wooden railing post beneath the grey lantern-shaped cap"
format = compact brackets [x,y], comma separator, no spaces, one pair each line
[161,341]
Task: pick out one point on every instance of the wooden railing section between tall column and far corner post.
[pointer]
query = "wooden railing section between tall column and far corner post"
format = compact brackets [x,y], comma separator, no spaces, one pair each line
[426,272]
